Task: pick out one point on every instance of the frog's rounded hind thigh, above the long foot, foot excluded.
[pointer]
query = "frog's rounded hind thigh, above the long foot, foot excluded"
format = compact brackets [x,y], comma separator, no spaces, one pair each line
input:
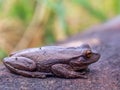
[20,63]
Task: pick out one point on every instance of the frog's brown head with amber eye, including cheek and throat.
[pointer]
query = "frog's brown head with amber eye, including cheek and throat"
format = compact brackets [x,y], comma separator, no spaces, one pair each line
[87,57]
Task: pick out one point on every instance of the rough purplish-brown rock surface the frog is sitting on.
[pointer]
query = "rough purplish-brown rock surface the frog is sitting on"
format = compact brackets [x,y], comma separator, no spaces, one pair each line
[104,74]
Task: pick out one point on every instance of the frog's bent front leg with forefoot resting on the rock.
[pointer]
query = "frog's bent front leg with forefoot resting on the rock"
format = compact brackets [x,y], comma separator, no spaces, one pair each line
[66,71]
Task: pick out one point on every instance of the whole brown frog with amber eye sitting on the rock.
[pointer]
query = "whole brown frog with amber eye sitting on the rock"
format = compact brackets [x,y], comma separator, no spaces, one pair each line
[58,61]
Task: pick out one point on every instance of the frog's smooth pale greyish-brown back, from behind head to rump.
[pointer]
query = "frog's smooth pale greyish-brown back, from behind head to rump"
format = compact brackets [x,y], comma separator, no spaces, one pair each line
[50,53]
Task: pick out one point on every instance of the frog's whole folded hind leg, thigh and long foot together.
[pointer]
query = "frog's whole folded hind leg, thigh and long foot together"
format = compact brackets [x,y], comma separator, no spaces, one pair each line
[23,66]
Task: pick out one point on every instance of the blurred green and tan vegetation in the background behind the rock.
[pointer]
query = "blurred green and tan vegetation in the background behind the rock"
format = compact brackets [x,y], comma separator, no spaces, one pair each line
[32,23]
